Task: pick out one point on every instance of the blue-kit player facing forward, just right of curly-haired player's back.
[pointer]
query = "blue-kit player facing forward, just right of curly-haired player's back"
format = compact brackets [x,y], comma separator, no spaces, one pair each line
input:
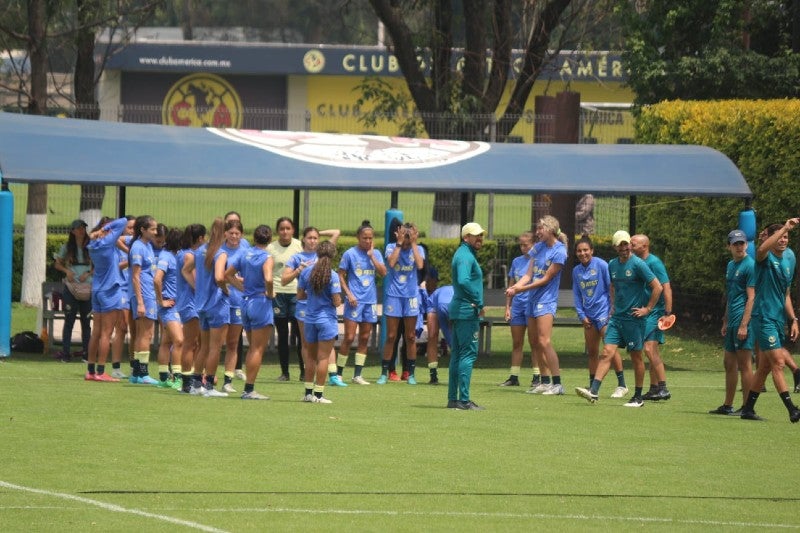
[358,269]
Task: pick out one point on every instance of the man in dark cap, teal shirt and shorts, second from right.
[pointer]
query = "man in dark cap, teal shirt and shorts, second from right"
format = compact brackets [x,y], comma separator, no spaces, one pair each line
[737,331]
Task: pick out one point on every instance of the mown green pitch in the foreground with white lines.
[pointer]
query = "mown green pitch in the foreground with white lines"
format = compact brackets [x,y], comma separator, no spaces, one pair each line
[391,458]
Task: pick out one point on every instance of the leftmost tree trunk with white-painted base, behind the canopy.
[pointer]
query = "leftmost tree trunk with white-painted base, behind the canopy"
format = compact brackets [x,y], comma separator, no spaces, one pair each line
[34,260]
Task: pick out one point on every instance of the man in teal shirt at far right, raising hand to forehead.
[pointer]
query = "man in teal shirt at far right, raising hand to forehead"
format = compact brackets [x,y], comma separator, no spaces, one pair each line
[772,306]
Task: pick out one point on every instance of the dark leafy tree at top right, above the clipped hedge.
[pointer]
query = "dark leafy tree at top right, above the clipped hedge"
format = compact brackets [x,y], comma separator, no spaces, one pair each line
[701,50]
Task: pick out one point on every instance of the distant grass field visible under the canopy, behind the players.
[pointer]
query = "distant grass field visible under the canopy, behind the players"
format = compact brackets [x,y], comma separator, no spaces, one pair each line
[327,209]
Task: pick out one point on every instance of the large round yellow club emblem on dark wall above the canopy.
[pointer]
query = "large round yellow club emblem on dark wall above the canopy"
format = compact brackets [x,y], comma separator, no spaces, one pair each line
[202,100]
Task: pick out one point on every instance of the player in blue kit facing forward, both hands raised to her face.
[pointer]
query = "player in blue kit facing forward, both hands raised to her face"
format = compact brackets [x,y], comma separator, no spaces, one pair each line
[403,258]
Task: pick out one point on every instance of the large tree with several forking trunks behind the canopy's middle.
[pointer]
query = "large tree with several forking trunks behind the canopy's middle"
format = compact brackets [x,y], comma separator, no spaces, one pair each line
[462,104]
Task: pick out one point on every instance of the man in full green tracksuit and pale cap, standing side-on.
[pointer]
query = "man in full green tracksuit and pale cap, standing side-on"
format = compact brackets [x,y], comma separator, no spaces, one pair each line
[465,309]
